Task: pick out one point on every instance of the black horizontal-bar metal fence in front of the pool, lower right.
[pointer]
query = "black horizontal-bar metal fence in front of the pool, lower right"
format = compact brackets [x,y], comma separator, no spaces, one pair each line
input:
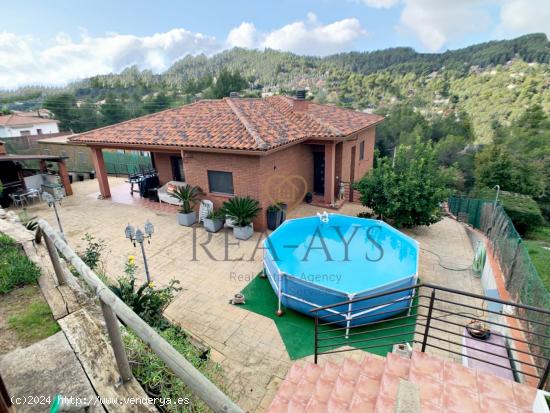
[439,318]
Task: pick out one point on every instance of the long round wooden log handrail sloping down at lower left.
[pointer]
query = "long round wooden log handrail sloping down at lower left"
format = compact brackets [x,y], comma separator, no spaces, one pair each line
[198,383]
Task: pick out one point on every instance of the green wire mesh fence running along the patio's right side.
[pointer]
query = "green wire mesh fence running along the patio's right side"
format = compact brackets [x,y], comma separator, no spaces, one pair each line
[522,279]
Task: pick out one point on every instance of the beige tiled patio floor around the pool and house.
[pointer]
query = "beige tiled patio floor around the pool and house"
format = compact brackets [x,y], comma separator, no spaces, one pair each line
[211,268]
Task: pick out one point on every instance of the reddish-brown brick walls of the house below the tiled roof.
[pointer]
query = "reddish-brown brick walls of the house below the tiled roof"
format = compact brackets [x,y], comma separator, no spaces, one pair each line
[273,177]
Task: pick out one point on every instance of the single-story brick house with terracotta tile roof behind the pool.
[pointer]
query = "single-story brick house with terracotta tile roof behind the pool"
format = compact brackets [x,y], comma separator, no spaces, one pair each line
[264,148]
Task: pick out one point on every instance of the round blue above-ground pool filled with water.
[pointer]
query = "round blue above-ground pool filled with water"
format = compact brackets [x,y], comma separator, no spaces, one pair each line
[321,260]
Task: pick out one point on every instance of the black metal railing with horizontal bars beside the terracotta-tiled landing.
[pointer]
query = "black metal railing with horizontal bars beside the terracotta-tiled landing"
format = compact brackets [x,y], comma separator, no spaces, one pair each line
[330,336]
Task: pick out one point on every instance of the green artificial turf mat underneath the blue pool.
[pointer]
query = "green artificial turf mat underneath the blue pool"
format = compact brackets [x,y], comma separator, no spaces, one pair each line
[297,330]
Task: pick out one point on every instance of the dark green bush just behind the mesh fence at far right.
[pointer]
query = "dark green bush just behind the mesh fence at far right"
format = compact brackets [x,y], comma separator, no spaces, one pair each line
[522,209]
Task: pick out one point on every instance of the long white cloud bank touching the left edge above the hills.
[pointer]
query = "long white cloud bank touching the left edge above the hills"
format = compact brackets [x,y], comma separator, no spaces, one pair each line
[24,60]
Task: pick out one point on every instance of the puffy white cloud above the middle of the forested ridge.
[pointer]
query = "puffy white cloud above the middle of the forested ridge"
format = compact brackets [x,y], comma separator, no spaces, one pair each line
[303,37]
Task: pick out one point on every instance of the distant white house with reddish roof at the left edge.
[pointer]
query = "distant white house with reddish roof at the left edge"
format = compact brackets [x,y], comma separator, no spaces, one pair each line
[16,125]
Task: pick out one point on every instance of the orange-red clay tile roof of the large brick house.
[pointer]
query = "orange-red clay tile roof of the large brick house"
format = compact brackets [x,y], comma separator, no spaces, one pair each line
[234,123]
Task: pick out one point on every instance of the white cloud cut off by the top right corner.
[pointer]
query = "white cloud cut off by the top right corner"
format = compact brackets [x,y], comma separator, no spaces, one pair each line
[525,16]
